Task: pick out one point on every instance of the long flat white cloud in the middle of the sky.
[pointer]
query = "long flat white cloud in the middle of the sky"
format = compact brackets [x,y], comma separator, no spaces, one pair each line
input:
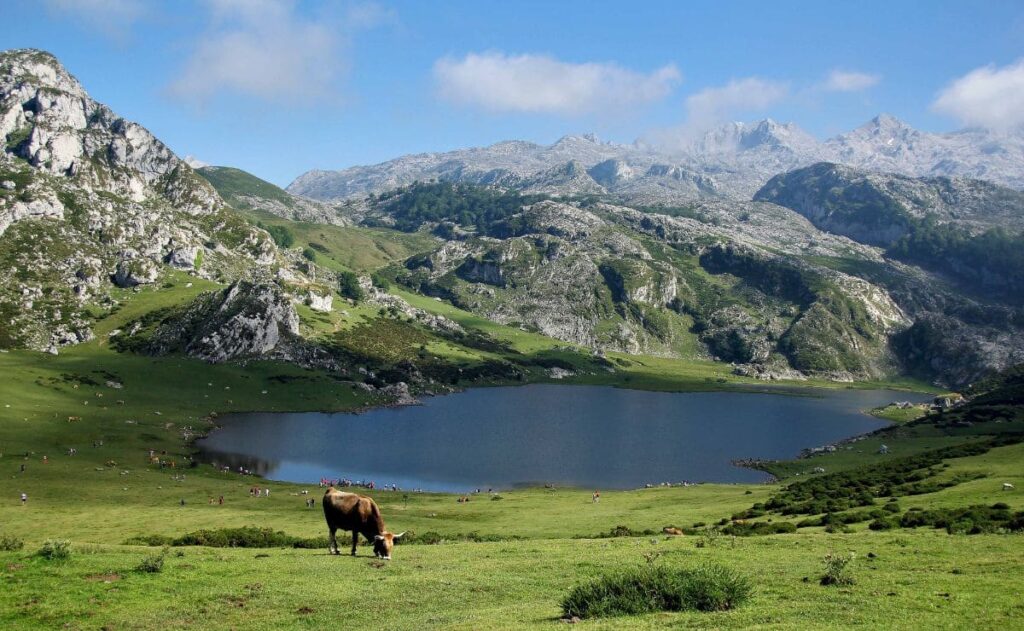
[537,83]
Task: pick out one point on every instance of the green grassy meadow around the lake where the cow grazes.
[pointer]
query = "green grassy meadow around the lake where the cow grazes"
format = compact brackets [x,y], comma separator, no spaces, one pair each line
[505,563]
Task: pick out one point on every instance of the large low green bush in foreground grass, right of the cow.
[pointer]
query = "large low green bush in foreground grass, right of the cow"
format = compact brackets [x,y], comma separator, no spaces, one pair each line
[654,588]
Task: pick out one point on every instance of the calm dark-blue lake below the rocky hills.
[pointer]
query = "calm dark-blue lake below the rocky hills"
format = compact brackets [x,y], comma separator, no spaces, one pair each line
[591,437]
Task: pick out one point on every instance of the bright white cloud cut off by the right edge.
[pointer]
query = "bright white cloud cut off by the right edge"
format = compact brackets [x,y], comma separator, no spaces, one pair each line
[988,97]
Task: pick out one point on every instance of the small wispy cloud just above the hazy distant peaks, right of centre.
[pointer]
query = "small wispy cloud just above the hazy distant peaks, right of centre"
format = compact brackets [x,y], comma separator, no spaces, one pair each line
[713,106]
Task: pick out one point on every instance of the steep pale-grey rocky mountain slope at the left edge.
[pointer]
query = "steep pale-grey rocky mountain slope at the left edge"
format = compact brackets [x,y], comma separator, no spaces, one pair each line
[93,204]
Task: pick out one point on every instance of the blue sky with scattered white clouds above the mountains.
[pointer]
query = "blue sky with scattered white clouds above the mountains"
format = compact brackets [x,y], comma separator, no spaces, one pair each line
[279,88]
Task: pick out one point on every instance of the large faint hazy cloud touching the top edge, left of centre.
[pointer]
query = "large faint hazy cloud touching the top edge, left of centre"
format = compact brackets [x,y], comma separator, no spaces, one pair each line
[263,49]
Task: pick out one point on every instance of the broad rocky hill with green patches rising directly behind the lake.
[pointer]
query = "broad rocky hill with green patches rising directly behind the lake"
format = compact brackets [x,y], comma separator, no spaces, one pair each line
[730,281]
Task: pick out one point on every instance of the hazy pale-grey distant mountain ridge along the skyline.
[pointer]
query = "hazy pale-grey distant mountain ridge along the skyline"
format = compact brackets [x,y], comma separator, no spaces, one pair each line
[733,161]
